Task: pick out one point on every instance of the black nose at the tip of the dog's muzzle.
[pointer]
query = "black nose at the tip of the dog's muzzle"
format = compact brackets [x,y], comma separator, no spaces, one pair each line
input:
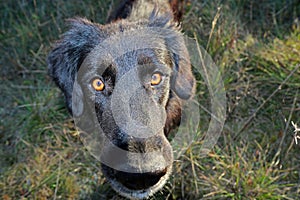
[139,181]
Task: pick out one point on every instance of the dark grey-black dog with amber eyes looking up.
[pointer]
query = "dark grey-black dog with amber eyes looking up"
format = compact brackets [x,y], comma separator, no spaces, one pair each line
[124,83]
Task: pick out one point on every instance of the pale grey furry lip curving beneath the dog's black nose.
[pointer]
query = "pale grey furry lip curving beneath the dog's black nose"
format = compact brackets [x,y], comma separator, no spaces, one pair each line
[141,193]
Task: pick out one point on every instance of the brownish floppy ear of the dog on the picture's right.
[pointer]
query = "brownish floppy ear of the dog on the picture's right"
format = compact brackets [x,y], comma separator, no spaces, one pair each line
[182,80]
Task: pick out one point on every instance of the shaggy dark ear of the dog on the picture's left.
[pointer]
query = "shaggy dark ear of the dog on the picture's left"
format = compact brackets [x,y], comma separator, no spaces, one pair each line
[68,54]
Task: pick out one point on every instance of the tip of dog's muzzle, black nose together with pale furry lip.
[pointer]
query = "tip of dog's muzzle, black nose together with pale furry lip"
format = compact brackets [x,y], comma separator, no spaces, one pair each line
[137,185]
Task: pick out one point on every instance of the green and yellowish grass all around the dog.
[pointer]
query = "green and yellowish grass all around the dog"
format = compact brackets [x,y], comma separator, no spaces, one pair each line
[256,45]
